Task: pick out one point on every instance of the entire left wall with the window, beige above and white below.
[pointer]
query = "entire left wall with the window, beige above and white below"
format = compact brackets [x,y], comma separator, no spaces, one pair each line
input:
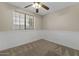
[10,38]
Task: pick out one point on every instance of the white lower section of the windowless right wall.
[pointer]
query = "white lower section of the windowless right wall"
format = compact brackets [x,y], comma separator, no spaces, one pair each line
[66,38]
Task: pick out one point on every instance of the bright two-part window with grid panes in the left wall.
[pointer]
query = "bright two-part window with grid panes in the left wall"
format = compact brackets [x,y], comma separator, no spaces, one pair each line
[22,21]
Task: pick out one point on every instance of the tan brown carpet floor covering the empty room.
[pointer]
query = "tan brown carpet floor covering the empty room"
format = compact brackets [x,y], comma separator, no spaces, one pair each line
[40,48]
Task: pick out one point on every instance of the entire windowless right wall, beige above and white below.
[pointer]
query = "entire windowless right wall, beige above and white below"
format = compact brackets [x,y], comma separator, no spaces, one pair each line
[63,27]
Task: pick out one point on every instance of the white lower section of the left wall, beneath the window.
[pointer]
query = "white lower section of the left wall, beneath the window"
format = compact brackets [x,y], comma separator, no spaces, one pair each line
[12,39]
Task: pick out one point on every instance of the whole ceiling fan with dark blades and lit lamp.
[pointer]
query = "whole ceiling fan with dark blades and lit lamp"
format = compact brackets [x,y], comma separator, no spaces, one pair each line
[37,5]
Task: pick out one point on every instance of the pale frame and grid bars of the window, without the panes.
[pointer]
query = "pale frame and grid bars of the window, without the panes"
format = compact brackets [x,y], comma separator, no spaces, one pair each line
[33,22]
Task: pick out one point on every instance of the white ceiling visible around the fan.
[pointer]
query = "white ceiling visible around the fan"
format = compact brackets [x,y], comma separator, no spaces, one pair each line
[54,6]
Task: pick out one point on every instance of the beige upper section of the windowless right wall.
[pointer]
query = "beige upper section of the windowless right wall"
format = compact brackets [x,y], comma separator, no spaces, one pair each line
[63,20]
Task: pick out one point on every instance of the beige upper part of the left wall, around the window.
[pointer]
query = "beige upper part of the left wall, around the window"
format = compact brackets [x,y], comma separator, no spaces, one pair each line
[6,17]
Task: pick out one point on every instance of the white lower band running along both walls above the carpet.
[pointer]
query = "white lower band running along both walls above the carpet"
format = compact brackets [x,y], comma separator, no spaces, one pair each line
[16,38]
